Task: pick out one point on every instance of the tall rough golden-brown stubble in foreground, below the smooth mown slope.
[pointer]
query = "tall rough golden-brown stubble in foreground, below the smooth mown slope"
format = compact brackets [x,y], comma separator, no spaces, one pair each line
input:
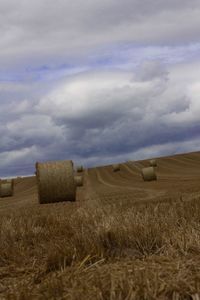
[101,250]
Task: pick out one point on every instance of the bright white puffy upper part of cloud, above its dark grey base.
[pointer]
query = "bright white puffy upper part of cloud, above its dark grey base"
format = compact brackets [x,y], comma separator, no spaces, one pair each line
[89,96]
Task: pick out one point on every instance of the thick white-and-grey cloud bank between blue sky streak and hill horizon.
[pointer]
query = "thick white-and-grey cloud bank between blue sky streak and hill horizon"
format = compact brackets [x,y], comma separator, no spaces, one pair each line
[102,117]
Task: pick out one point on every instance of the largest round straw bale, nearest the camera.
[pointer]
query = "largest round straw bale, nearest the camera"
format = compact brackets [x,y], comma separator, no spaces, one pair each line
[55,181]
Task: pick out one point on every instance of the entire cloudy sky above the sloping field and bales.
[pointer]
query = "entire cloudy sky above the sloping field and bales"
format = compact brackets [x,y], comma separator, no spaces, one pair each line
[97,81]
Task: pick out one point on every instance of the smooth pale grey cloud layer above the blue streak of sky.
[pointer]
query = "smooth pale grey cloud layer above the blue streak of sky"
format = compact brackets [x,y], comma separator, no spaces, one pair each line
[49,33]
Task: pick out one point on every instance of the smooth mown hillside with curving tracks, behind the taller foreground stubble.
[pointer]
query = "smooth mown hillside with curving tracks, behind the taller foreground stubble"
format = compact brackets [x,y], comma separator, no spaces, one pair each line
[178,176]
